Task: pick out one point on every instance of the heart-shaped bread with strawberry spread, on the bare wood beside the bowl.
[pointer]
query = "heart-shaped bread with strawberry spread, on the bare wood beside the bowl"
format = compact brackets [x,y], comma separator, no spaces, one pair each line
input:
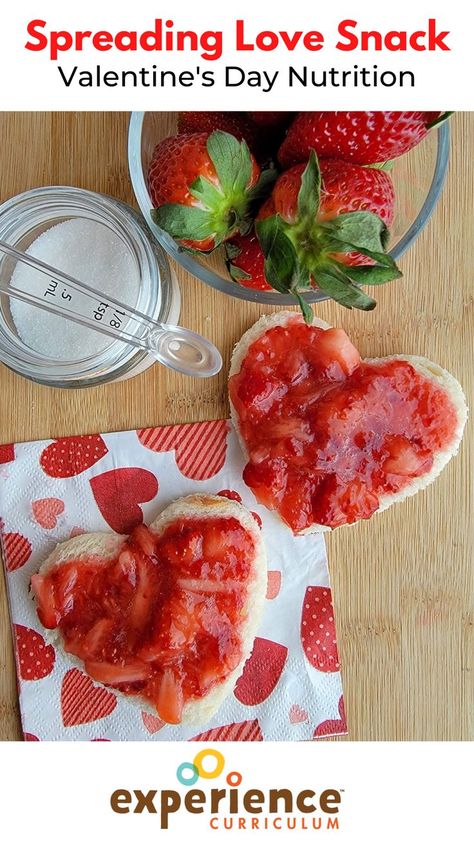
[329,438]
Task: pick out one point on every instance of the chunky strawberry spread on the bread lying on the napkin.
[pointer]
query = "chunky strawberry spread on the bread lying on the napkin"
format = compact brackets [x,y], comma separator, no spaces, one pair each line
[160,621]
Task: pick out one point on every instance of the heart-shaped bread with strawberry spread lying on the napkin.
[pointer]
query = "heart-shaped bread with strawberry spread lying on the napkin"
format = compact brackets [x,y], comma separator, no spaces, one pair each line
[167,616]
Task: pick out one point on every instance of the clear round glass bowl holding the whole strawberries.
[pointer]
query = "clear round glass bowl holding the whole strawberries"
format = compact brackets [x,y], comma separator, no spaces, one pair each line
[418,179]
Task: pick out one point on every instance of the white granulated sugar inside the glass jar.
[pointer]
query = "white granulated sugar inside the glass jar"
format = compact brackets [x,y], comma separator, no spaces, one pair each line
[89,252]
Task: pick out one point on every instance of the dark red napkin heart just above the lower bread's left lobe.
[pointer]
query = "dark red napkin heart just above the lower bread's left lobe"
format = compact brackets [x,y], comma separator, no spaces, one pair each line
[118,494]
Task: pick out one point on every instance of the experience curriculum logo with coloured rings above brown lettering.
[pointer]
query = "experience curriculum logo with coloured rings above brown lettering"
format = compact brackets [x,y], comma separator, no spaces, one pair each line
[230,805]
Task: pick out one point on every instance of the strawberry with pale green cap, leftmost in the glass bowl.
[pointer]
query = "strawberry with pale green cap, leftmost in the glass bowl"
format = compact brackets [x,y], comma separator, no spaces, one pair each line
[204,187]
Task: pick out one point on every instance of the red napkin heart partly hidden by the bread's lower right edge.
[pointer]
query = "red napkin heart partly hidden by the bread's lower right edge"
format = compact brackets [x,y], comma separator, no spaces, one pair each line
[261,672]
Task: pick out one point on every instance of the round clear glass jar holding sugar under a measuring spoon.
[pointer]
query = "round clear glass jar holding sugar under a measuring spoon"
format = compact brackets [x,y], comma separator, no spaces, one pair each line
[24,218]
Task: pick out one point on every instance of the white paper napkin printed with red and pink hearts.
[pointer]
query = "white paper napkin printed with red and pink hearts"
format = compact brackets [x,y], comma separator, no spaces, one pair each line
[51,490]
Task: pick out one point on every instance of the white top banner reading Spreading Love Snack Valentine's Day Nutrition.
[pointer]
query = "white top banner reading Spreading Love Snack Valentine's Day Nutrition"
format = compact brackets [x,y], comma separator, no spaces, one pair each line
[195,56]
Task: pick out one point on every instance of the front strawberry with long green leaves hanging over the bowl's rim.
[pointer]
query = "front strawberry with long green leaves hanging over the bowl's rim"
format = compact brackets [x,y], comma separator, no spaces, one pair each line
[319,227]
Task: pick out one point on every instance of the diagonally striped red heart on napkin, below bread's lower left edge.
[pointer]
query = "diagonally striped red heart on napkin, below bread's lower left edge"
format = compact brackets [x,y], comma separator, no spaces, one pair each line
[82,701]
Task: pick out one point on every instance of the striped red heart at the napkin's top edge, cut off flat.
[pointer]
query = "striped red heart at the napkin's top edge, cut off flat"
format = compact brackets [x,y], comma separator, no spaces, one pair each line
[200,448]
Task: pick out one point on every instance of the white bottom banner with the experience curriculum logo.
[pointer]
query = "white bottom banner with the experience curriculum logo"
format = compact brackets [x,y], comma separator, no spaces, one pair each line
[347,791]
